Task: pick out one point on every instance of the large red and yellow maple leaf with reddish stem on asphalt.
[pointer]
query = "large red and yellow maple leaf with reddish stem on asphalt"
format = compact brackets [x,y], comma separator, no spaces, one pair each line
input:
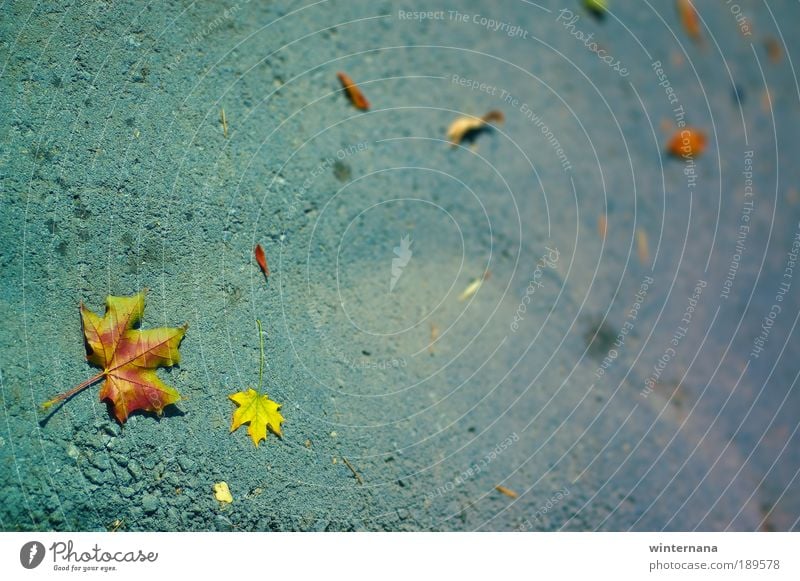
[129,357]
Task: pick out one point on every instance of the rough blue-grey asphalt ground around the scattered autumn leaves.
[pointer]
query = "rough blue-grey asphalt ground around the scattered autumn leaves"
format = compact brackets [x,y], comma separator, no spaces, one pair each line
[612,383]
